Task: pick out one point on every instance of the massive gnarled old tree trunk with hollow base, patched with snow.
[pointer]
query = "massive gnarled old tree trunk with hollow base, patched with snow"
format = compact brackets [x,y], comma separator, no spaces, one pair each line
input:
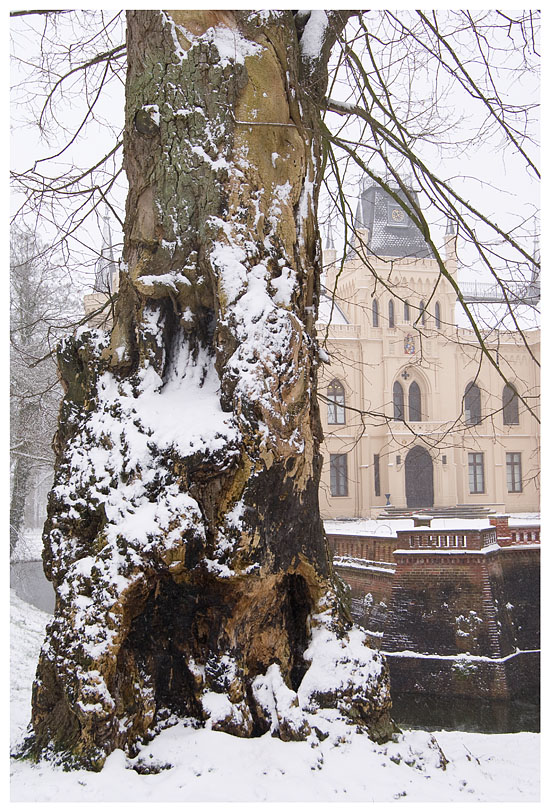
[183,537]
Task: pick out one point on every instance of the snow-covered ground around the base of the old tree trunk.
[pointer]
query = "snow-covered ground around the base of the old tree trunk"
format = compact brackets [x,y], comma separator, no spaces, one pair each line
[189,765]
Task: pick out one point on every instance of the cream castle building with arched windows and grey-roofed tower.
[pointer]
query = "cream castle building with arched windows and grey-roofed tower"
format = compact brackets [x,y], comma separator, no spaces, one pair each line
[413,414]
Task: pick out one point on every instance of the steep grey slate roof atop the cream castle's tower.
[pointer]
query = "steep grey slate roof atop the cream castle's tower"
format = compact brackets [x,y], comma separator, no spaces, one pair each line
[386,237]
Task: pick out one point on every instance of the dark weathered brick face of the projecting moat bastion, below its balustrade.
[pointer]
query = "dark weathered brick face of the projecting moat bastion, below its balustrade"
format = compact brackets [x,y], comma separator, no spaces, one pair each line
[463,603]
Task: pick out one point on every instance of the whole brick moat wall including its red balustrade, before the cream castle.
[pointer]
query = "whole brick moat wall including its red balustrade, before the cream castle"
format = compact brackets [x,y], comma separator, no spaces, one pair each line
[463,611]
